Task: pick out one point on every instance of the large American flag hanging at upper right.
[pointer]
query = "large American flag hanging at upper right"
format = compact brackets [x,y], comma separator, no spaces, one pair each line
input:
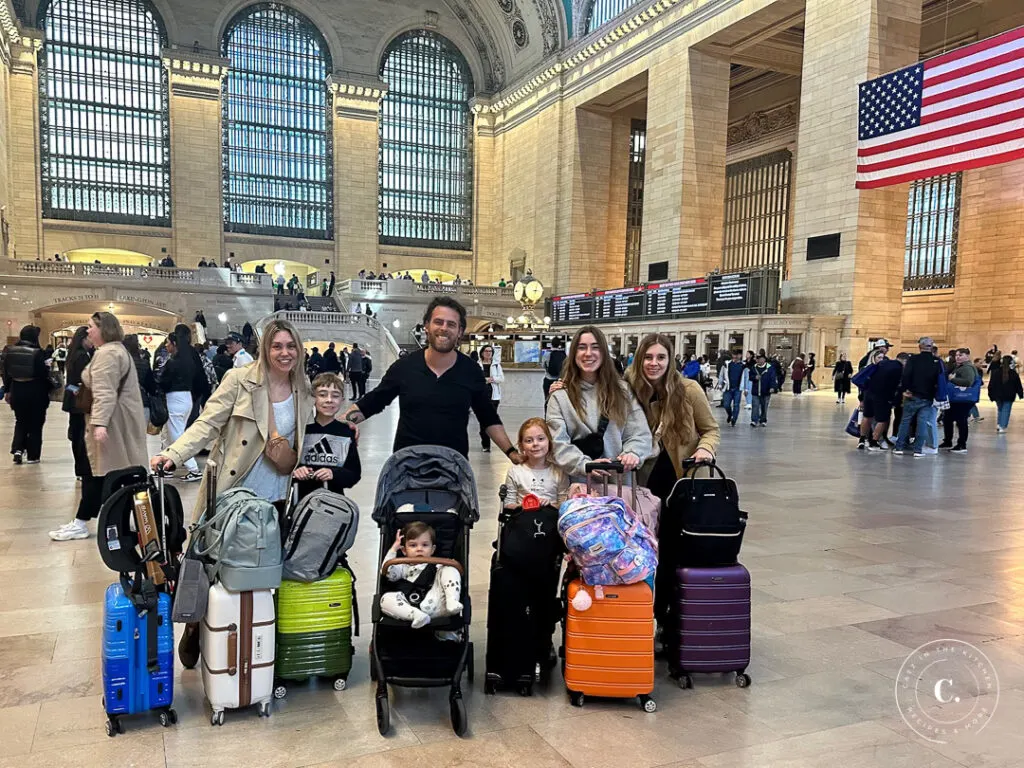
[958,111]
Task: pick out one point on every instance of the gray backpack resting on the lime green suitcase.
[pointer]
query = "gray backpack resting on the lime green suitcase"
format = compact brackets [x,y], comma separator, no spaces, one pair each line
[321,530]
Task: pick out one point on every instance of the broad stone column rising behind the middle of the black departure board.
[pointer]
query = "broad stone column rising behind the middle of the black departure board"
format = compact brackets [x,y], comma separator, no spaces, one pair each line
[685,178]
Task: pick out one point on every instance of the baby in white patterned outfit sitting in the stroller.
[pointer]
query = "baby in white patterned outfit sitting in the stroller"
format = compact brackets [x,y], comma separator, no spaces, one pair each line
[423,591]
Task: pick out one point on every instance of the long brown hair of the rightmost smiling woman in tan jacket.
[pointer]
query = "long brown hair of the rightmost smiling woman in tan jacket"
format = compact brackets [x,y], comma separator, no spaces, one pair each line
[664,401]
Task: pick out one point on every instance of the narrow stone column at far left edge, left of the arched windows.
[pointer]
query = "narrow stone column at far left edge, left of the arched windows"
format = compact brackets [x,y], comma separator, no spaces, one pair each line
[26,199]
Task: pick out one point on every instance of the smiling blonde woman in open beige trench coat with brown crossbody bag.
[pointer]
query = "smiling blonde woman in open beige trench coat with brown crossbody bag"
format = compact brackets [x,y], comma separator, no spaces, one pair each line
[271,399]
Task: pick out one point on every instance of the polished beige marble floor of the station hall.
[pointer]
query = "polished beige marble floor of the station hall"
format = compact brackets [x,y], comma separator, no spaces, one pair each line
[858,560]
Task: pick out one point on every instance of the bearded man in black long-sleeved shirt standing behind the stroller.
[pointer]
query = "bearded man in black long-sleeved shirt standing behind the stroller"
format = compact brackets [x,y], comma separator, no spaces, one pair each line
[437,388]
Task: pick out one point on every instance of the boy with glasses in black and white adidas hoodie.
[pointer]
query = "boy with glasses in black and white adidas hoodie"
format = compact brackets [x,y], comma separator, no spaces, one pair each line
[329,453]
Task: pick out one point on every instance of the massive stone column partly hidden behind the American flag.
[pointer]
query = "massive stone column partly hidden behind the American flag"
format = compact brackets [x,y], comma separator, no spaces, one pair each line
[845,44]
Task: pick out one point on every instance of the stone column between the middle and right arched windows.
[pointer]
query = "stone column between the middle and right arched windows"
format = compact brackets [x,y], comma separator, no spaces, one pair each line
[357,111]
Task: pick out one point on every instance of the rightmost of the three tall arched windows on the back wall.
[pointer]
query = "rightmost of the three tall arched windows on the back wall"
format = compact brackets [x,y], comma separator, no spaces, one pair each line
[426,160]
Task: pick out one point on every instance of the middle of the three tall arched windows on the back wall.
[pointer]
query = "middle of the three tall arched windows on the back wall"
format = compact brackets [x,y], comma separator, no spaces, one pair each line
[278,170]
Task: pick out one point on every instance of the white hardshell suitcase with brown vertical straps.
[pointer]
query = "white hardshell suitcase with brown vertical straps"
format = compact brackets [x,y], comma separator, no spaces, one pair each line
[238,650]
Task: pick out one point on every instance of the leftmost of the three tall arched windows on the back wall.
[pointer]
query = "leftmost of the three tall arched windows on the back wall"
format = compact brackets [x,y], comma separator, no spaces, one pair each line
[105,148]
